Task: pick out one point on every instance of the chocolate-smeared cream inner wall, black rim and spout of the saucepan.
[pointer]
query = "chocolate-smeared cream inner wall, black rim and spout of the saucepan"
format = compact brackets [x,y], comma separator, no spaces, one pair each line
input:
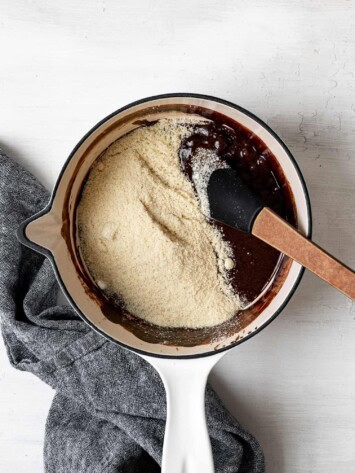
[53,232]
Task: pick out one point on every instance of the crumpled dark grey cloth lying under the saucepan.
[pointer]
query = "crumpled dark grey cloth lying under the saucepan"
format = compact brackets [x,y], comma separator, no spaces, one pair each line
[108,411]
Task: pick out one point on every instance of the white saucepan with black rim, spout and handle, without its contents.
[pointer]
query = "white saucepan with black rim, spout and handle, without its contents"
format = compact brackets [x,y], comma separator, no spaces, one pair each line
[183,359]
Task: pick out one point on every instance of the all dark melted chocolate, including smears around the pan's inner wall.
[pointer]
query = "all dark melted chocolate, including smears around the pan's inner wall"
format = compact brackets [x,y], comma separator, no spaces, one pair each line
[256,261]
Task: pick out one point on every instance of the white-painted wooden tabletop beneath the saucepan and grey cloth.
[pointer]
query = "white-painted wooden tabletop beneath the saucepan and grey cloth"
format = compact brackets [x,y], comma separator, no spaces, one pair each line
[65,65]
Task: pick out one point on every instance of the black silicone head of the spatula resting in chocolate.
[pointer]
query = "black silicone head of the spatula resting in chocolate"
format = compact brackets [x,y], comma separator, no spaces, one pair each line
[231,201]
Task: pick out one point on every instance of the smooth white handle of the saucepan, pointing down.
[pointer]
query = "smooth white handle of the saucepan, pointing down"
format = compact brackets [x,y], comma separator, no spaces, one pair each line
[187,447]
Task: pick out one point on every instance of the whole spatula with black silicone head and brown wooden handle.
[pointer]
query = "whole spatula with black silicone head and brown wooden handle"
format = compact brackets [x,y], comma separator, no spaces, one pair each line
[233,203]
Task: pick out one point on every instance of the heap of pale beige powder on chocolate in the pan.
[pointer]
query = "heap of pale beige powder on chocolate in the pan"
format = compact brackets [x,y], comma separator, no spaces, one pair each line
[144,237]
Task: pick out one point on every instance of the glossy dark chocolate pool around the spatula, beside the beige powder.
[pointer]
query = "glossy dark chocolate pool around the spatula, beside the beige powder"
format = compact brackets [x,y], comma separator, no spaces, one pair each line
[246,153]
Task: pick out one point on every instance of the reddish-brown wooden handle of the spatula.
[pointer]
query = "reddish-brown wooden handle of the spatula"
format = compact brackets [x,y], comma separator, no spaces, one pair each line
[272,229]
